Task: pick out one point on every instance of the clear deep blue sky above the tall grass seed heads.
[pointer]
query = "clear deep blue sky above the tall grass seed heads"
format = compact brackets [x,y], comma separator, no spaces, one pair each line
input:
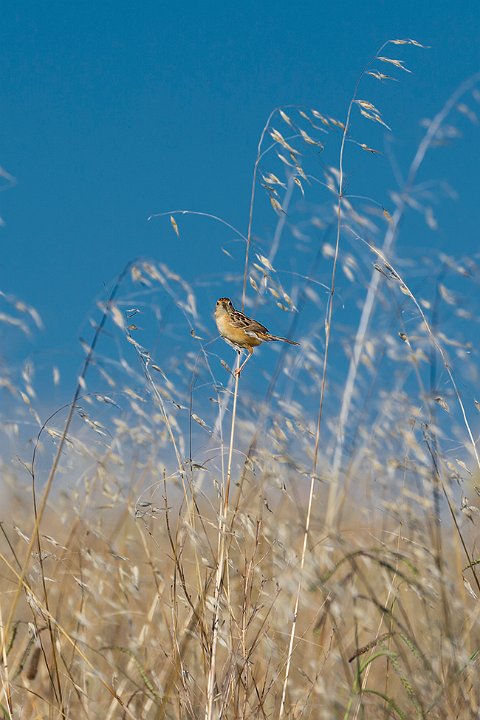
[113,111]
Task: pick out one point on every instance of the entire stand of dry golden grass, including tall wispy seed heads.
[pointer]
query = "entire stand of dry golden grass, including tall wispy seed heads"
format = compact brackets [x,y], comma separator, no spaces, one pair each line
[178,543]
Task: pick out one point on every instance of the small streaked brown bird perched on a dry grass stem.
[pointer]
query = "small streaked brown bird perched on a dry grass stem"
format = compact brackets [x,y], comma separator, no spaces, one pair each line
[240,331]
